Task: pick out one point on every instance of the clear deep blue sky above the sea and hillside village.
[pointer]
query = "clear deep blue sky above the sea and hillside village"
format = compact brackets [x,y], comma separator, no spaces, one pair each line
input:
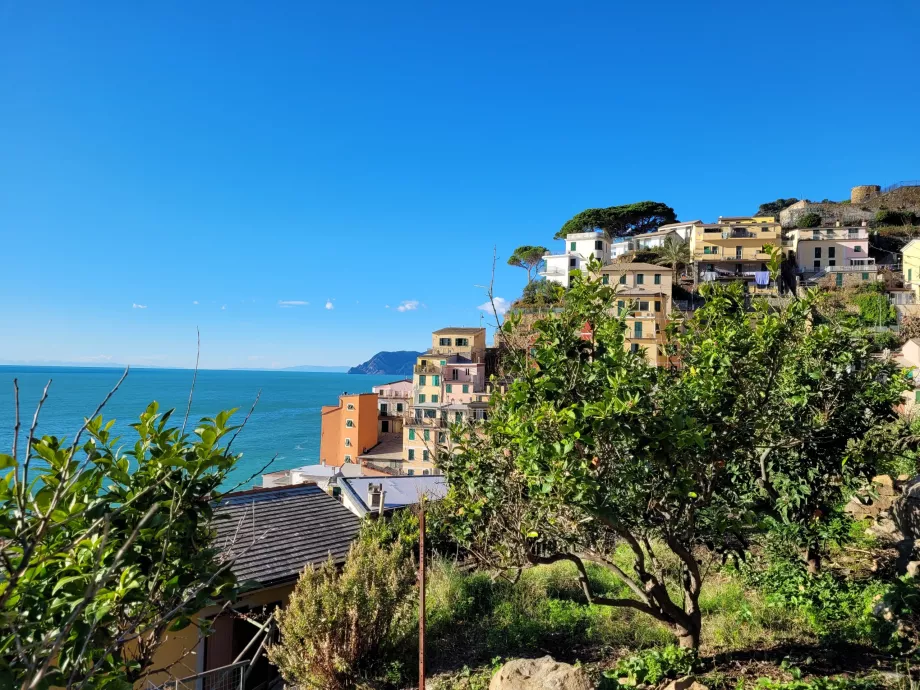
[207,161]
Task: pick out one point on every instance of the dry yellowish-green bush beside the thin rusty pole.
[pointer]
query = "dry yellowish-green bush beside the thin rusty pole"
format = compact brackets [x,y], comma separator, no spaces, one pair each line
[338,627]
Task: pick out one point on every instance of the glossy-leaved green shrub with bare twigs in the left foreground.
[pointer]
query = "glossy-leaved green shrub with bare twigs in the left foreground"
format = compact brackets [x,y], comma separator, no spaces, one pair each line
[105,550]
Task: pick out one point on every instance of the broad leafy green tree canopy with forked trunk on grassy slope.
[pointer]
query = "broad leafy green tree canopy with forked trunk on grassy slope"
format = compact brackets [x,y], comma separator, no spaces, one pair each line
[773,419]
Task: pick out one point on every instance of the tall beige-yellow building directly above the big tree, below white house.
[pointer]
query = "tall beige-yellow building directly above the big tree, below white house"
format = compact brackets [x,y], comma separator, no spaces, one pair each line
[643,291]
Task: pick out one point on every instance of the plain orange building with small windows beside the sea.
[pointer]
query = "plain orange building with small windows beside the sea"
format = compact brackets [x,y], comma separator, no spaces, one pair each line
[348,429]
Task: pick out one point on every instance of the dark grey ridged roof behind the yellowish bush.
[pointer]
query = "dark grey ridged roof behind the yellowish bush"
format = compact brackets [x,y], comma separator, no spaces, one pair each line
[275,533]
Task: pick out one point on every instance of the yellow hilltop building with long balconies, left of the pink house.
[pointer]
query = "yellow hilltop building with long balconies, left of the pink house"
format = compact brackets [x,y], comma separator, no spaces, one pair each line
[733,247]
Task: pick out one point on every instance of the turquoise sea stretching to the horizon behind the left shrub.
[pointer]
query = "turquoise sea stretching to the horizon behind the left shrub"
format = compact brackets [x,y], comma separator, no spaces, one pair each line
[286,421]
